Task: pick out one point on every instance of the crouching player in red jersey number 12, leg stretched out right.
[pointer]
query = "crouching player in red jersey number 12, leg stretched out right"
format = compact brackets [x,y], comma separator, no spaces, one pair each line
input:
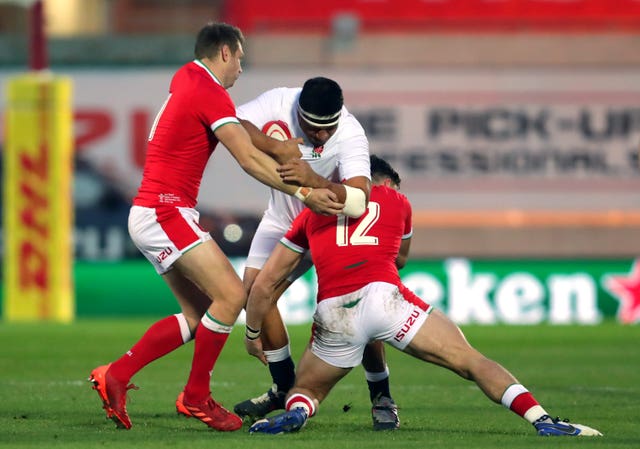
[360,299]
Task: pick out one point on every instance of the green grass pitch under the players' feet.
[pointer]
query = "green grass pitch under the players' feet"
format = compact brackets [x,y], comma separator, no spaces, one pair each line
[589,374]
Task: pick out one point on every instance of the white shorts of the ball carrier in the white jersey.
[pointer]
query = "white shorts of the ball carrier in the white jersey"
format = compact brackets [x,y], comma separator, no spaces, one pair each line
[265,239]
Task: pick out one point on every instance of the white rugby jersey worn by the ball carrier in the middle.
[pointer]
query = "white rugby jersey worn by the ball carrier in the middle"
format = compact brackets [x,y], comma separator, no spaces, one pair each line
[344,156]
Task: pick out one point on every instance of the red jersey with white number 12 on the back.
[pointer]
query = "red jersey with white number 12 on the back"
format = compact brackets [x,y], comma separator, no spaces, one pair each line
[350,253]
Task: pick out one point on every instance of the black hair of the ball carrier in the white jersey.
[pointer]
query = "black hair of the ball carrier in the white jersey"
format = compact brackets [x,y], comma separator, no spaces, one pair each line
[321,97]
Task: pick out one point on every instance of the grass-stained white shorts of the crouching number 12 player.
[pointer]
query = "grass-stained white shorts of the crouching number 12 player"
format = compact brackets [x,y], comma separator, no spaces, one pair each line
[343,325]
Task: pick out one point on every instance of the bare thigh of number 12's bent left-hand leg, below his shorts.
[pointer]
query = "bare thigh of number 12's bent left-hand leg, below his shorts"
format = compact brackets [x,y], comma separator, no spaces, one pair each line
[317,376]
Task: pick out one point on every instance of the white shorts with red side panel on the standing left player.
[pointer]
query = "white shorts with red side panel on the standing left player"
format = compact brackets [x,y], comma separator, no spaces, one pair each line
[165,233]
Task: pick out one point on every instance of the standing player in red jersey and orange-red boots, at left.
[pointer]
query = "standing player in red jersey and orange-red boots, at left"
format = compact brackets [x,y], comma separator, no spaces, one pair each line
[163,223]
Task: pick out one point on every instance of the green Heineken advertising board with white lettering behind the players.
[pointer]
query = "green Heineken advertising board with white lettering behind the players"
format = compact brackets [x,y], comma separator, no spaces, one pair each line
[518,292]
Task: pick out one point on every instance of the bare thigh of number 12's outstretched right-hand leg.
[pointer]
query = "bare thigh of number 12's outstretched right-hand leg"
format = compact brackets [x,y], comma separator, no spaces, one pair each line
[441,341]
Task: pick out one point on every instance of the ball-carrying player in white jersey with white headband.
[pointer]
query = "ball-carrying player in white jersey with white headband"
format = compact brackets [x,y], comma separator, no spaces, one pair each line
[335,155]
